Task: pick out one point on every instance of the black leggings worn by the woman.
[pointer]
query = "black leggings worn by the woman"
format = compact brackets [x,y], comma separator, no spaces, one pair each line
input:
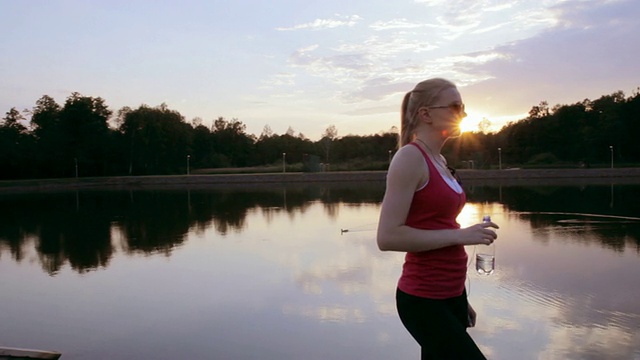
[439,326]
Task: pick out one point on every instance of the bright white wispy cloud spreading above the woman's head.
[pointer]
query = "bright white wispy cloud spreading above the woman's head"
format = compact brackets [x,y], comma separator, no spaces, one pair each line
[396,57]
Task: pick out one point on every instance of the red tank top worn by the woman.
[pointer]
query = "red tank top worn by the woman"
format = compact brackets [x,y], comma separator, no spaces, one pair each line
[439,273]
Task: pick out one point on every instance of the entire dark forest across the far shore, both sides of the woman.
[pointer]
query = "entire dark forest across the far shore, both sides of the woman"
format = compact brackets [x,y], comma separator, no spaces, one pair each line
[84,138]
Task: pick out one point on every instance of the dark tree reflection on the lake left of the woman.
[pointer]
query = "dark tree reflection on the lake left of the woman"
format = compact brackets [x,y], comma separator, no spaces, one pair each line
[86,228]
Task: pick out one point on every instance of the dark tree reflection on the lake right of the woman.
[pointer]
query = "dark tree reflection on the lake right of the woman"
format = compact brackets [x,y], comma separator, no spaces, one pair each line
[609,216]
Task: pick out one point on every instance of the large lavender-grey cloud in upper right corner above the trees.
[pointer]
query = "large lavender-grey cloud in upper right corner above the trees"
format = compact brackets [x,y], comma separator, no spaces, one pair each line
[585,51]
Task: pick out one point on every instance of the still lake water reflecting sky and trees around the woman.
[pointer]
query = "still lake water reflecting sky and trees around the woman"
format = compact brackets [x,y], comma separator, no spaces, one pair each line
[293,272]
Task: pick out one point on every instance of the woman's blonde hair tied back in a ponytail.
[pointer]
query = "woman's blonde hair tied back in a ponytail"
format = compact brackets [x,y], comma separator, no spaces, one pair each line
[423,94]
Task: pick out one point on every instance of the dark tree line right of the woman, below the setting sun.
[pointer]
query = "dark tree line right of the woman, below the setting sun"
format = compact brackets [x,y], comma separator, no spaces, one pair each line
[587,133]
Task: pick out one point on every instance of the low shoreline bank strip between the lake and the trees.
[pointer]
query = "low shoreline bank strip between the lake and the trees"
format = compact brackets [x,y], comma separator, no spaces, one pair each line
[468,177]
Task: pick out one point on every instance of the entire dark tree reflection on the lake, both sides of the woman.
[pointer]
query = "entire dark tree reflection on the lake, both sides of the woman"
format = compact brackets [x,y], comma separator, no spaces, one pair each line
[85,229]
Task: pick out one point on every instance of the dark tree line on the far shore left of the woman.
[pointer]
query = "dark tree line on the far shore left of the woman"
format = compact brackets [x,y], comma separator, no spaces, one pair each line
[83,137]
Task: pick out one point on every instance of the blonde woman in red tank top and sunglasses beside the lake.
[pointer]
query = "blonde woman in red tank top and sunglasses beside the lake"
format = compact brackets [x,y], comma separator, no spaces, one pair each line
[418,216]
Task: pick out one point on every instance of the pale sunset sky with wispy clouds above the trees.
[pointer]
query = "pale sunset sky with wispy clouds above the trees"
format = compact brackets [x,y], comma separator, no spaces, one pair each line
[307,65]
